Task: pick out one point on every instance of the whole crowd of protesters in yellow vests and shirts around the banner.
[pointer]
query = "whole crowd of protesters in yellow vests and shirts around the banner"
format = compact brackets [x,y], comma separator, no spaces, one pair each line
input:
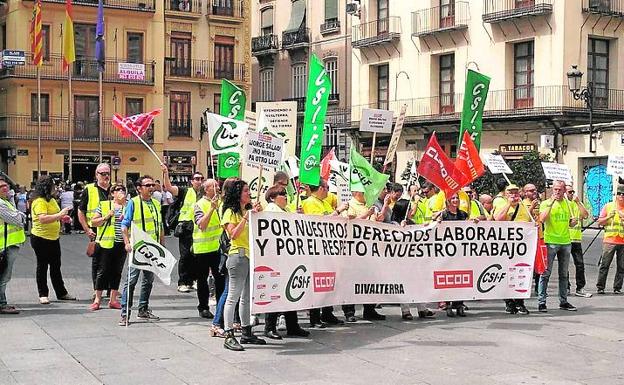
[210,221]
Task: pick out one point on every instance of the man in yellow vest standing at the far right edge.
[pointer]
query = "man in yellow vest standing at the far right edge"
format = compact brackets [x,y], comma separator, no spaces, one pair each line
[612,217]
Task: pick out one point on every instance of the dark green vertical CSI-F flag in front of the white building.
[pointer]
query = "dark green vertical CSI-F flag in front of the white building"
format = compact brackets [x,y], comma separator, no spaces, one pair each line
[475,94]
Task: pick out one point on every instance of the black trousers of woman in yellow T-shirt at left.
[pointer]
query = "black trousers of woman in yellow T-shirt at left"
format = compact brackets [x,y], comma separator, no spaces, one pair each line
[48,253]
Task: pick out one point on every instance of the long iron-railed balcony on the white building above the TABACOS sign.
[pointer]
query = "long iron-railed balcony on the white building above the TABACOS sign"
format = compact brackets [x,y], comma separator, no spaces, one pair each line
[509,103]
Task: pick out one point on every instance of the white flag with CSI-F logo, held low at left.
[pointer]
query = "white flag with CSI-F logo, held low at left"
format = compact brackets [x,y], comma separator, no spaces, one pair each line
[147,254]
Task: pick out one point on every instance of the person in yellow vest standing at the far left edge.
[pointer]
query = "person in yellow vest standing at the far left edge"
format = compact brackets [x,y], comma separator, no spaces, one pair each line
[12,236]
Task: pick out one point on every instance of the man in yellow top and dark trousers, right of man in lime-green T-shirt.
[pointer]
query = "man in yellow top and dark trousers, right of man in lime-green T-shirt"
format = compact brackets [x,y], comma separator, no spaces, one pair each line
[576,236]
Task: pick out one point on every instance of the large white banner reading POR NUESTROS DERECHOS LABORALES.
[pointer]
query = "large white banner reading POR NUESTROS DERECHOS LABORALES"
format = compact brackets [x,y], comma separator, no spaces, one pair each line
[303,262]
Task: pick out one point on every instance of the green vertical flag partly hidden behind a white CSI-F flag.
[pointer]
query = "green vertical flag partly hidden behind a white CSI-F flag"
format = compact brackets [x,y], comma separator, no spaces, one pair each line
[233,101]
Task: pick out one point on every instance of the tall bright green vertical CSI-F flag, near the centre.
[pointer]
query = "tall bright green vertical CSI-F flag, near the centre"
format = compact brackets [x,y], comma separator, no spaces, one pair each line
[319,87]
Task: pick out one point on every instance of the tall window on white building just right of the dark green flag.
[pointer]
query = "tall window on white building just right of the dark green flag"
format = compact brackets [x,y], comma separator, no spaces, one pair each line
[523,75]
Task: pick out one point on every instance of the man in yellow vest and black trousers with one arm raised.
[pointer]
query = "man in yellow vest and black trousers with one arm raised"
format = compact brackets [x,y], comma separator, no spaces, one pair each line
[185,227]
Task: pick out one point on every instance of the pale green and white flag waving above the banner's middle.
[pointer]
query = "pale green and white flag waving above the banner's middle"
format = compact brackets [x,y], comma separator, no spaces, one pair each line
[364,178]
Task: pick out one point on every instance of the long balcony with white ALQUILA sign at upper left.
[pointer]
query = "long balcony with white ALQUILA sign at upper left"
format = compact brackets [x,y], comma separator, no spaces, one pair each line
[84,69]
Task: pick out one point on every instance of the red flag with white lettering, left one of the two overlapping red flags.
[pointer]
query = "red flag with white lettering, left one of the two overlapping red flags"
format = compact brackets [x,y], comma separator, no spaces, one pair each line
[438,169]
